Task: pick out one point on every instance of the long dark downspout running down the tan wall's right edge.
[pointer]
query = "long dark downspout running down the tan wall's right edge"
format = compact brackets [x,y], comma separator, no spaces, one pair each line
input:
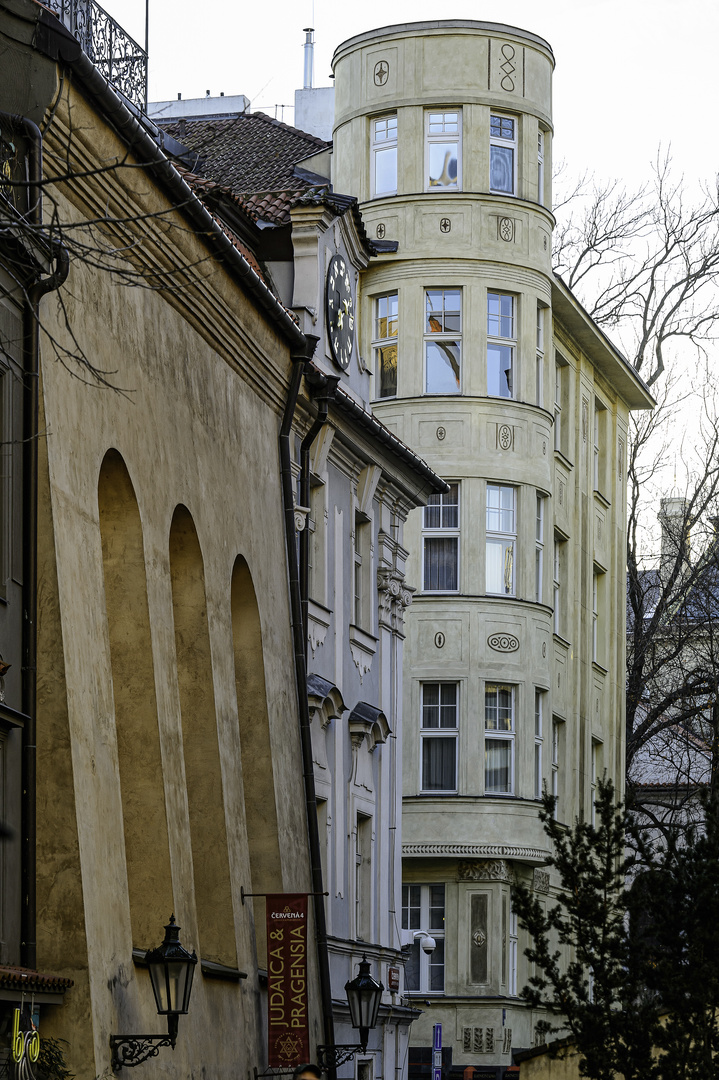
[301,360]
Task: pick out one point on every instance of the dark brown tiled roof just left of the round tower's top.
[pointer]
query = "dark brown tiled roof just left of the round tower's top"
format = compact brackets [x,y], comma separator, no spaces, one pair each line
[250,153]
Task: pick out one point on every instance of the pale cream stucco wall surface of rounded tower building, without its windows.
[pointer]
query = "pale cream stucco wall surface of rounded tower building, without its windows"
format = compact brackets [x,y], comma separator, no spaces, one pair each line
[477,241]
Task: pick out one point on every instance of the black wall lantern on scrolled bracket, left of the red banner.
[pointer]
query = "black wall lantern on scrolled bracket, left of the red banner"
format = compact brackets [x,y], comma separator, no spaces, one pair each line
[172,969]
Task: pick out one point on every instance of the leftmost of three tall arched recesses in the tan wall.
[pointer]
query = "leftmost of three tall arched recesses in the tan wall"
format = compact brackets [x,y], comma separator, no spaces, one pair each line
[144,814]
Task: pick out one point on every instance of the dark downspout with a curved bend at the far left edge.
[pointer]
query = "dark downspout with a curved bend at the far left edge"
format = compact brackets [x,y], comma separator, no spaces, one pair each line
[30,642]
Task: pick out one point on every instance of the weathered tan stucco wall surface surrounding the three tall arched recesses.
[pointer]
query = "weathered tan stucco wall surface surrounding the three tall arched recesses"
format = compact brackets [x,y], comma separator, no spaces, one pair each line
[197,382]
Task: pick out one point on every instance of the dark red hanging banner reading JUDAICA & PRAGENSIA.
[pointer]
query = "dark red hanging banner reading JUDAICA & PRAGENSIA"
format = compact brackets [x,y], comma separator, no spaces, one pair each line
[289,1034]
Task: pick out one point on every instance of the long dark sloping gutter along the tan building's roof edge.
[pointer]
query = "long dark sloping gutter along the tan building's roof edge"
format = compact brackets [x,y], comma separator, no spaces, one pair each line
[56,42]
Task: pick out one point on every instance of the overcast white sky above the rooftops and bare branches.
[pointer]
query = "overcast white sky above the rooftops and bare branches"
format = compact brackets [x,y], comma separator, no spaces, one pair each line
[631,74]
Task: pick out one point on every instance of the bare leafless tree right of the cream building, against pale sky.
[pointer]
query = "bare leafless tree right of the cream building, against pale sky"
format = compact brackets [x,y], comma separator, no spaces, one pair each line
[646,266]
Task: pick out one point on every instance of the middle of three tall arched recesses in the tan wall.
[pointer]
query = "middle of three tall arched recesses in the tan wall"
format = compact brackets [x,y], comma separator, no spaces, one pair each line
[213,892]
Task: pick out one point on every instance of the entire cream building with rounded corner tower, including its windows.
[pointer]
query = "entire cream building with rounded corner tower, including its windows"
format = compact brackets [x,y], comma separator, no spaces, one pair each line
[487,366]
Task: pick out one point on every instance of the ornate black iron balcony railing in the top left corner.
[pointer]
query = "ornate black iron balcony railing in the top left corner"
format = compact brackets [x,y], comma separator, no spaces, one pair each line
[113,51]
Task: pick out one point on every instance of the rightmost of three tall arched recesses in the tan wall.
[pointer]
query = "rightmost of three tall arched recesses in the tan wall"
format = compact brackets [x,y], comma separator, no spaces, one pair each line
[257,775]
